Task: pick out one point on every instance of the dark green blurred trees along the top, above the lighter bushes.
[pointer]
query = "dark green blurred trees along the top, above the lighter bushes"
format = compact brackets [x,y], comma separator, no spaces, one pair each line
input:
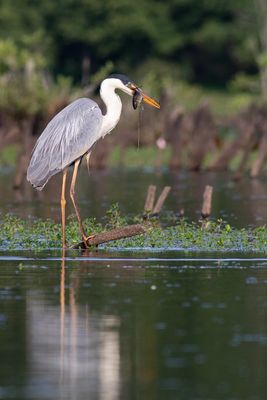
[207,41]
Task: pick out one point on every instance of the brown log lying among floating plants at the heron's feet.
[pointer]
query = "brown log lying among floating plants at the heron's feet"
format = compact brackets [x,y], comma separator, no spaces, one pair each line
[114,234]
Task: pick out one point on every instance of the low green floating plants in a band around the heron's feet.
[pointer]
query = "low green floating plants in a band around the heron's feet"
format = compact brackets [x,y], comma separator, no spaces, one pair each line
[16,233]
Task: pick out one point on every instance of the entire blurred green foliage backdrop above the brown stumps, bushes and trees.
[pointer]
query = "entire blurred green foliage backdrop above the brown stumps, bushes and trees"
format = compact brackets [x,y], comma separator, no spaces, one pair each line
[195,51]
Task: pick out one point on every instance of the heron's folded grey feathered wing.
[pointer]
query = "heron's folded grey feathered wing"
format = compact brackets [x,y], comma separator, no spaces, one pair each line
[68,136]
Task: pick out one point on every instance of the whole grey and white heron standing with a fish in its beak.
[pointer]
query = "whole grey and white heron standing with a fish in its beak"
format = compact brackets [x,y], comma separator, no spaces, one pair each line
[71,135]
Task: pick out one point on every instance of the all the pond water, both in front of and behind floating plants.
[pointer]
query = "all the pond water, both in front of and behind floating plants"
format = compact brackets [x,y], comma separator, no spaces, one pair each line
[134,325]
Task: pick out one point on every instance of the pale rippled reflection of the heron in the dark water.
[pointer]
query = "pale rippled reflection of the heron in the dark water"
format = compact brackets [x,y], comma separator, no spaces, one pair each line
[74,351]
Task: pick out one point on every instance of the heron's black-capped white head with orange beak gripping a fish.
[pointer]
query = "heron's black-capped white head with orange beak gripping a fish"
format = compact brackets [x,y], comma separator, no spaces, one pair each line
[122,82]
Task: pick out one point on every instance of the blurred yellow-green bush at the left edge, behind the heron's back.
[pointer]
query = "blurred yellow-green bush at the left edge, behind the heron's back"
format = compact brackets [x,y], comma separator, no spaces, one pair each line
[26,89]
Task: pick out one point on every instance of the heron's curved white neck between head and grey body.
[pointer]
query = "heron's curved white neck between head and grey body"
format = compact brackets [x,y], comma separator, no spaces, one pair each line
[113,106]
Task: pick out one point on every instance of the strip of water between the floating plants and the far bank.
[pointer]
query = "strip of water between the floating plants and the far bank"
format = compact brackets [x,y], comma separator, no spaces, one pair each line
[240,203]
